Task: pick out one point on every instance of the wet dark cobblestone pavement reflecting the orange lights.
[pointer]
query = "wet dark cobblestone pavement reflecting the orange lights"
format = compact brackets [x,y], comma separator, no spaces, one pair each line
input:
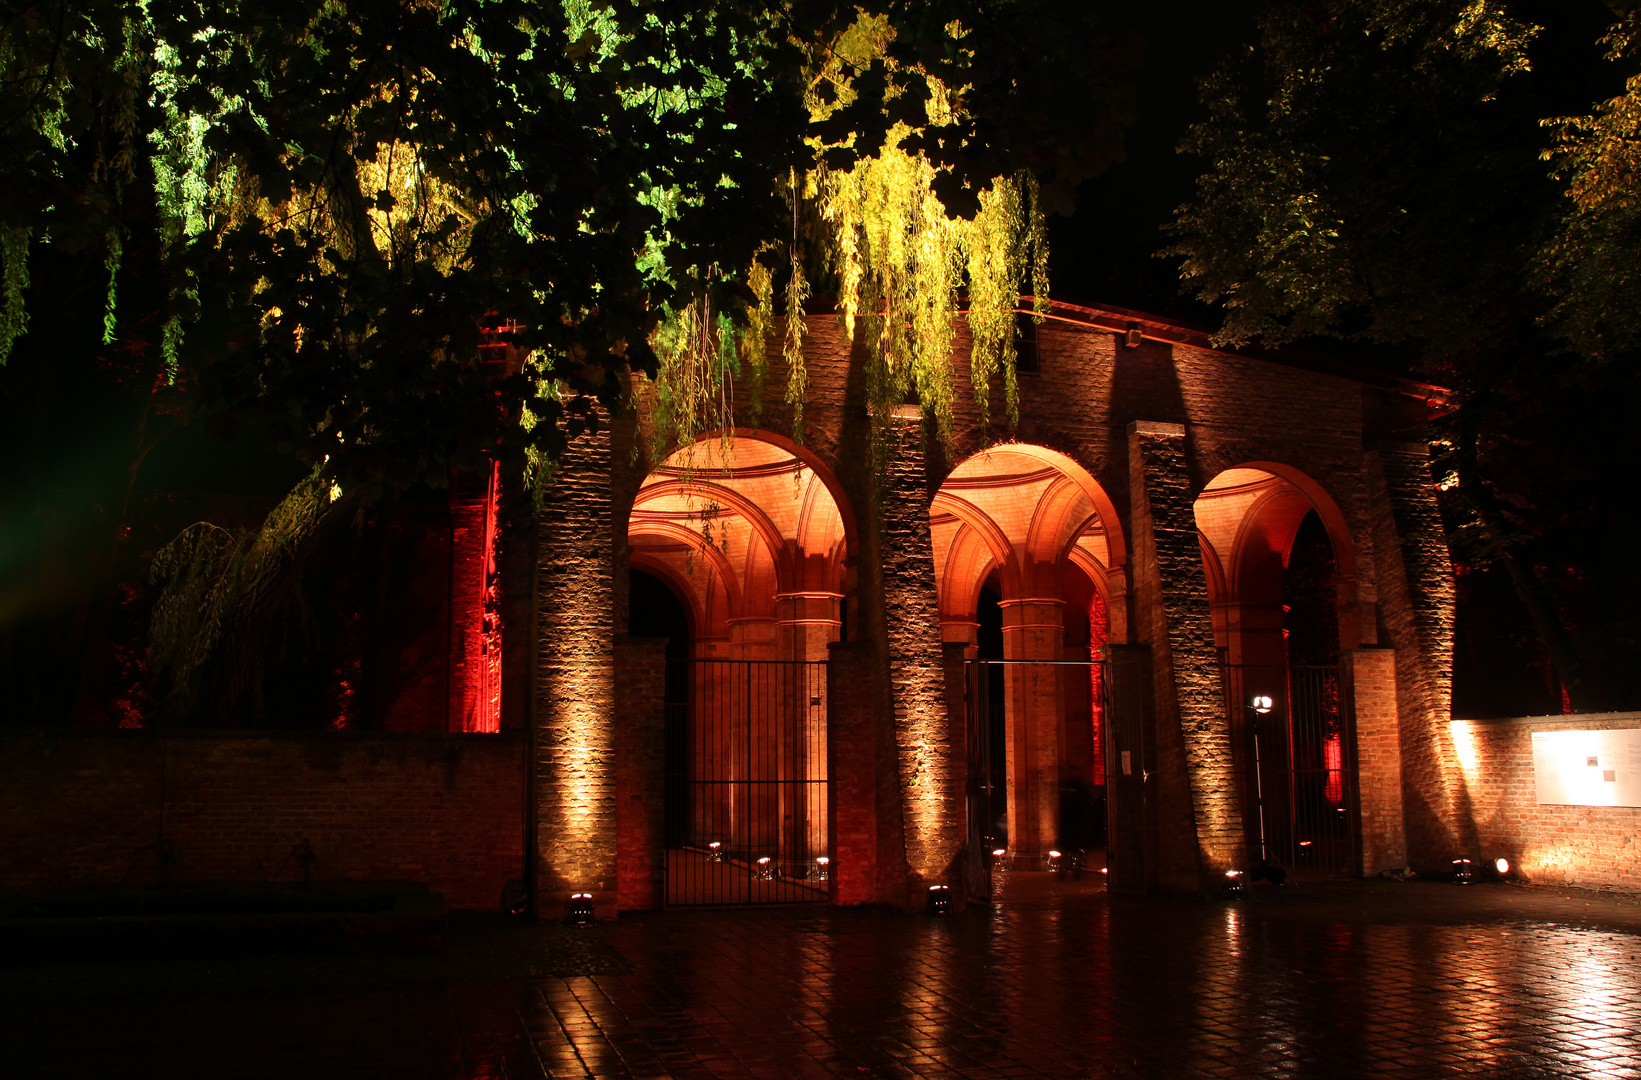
[1319,981]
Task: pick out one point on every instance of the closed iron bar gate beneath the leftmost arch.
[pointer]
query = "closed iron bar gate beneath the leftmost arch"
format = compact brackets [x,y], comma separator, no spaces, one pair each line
[747,789]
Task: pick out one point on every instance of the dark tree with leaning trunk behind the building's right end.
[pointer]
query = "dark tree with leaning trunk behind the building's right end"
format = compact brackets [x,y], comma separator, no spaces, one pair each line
[1374,176]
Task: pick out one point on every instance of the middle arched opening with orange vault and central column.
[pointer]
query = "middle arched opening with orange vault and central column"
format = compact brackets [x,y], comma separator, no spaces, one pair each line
[1031,562]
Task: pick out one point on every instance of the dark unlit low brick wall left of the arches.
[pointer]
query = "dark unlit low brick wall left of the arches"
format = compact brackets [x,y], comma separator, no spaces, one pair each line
[76,807]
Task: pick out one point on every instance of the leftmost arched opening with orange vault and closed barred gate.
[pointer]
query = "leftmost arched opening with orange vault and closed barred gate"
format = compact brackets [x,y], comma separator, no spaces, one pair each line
[749,534]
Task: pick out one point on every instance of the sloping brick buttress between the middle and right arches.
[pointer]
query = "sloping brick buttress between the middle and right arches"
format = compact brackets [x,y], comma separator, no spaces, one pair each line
[1199,815]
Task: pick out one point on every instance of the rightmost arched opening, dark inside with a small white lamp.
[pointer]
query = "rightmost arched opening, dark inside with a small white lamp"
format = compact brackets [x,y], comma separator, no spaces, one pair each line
[1281,580]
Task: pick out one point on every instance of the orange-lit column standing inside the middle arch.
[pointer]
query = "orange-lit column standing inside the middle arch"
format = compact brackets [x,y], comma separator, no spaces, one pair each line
[1033,631]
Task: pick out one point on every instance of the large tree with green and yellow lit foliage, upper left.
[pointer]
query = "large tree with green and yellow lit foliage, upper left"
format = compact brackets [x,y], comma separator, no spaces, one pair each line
[345,201]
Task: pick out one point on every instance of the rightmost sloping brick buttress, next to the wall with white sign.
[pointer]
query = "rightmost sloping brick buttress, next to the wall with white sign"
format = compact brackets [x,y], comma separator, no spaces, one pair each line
[1415,603]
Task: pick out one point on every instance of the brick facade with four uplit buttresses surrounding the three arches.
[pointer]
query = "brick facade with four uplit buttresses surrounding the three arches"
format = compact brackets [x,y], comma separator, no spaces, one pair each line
[898,767]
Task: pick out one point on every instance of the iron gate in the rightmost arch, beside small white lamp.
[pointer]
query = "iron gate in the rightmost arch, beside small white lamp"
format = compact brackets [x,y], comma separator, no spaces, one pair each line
[1305,764]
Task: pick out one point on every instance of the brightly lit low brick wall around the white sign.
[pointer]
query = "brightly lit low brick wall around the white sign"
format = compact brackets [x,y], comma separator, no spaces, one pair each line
[1553,844]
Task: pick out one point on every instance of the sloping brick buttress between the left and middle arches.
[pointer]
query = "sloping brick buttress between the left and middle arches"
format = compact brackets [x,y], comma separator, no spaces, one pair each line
[931,766]
